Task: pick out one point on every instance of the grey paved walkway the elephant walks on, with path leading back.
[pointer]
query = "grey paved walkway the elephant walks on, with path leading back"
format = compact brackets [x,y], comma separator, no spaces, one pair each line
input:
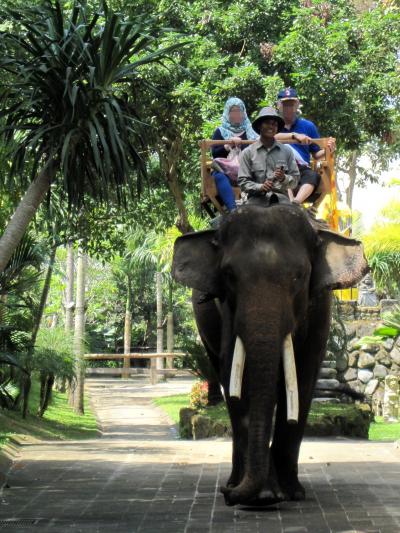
[139,478]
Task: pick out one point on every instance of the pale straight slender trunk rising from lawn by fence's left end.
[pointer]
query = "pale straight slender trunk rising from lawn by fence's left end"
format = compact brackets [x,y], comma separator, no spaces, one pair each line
[79,331]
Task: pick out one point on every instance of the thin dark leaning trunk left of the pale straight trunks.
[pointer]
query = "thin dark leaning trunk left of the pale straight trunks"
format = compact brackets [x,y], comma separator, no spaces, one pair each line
[26,387]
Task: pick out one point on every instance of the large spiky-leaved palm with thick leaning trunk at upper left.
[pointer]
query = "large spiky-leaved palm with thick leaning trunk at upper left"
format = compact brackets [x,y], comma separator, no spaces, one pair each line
[65,103]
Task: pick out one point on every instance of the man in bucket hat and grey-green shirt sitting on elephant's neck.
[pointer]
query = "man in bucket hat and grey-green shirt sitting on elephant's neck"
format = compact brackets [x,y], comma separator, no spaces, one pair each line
[267,166]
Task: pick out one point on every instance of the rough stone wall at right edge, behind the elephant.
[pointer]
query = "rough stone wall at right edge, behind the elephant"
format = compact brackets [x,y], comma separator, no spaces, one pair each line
[364,368]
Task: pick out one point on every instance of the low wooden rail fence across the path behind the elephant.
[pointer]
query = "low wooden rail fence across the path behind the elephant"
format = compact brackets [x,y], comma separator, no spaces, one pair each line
[125,371]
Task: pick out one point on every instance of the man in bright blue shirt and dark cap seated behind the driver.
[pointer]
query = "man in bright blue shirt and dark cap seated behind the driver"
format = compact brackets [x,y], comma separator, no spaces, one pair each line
[303,131]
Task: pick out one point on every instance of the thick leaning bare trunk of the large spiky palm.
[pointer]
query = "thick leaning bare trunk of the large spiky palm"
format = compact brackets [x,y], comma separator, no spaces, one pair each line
[24,213]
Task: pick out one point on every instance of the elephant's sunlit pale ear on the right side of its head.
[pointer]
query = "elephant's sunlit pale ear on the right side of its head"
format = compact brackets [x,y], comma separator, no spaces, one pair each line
[339,262]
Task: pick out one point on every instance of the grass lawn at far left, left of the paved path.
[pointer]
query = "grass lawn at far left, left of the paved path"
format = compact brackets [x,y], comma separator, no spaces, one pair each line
[58,423]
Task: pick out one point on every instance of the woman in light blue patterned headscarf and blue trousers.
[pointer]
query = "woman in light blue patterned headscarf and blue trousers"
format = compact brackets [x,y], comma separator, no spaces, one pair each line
[235,128]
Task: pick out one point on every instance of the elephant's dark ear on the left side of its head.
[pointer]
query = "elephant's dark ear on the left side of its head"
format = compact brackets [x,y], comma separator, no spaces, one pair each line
[196,261]
